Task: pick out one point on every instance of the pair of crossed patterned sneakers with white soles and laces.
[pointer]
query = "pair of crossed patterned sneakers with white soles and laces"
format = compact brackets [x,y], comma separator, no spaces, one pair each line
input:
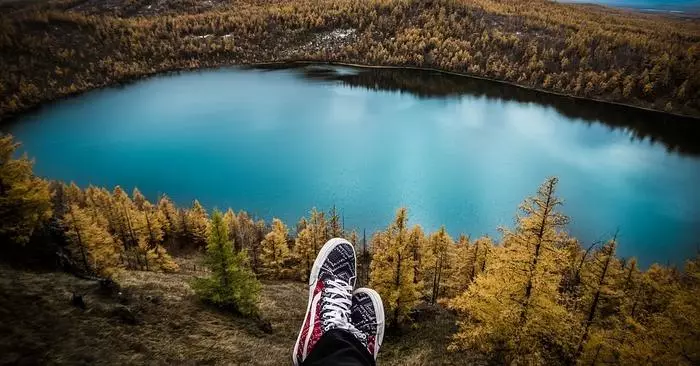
[334,305]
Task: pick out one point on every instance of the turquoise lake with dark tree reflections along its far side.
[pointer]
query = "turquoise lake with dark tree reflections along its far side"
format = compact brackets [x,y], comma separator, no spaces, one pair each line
[456,151]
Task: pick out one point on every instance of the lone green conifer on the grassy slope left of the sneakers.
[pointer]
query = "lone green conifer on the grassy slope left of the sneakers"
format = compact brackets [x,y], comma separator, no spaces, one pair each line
[231,284]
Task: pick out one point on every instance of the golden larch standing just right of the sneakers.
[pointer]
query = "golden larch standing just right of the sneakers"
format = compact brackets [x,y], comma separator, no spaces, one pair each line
[391,271]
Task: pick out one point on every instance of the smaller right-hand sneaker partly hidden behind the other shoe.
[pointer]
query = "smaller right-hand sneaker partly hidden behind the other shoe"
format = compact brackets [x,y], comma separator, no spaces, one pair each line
[367,315]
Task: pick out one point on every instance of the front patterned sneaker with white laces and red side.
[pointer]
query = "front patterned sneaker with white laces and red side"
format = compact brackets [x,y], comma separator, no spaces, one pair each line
[330,295]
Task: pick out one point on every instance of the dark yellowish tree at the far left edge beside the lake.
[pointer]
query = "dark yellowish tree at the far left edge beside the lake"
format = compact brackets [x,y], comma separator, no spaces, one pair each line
[25,200]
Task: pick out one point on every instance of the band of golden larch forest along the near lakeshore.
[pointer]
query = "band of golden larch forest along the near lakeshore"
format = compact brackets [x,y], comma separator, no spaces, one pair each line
[536,295]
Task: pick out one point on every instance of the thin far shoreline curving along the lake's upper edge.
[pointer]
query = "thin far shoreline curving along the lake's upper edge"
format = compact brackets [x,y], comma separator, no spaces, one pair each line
[13,117]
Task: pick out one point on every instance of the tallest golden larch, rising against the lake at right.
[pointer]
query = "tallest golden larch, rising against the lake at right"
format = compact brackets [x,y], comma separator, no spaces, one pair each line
[512,310]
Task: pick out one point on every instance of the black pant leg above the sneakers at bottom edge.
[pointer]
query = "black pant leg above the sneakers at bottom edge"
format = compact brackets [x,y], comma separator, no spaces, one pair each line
[339,347]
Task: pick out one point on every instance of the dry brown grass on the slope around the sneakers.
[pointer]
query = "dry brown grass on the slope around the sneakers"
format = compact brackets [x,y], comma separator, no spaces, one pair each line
[39,325]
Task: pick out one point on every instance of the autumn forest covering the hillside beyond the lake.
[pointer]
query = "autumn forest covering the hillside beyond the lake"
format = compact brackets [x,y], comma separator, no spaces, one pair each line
[52,49]
